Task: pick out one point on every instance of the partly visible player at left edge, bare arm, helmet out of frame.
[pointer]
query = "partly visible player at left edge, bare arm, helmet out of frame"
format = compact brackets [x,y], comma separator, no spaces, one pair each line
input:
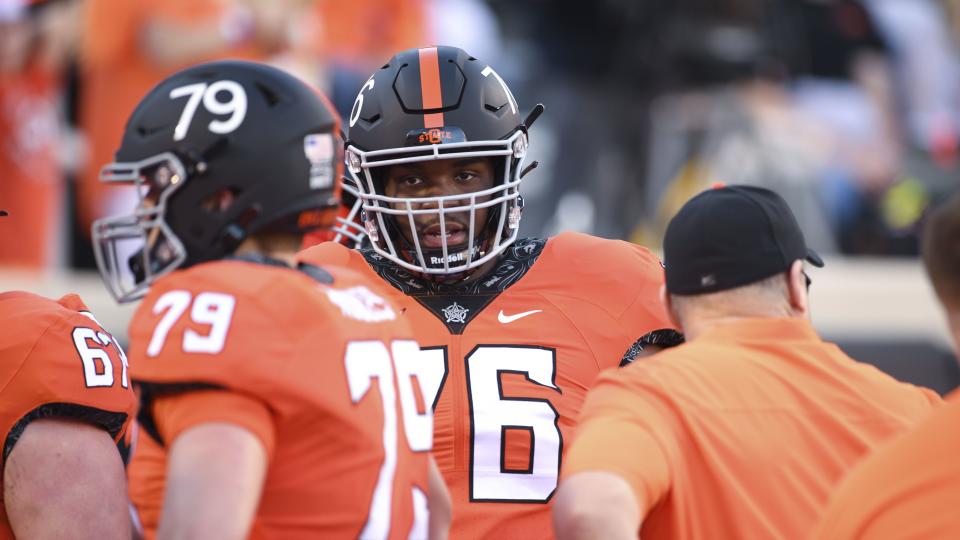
[65,406]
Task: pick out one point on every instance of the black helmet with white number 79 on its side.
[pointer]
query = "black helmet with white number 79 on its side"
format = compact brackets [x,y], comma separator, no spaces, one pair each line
[217,152]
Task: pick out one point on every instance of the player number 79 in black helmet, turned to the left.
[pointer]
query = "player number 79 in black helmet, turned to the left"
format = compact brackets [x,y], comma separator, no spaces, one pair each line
[278,400]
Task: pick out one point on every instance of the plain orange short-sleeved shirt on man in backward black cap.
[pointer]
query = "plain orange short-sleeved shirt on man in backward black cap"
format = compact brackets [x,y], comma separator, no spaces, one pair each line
[741,433]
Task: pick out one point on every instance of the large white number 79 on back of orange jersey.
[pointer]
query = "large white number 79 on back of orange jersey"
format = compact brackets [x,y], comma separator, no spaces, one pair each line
[369,360]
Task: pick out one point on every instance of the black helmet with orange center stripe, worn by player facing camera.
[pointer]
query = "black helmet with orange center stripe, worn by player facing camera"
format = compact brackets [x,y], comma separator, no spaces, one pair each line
[428,104]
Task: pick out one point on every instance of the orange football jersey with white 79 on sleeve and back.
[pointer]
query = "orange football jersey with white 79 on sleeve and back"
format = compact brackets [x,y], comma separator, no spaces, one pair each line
[325,374]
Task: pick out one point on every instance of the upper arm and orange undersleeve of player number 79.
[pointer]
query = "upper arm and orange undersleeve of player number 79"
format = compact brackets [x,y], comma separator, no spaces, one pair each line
[220,444]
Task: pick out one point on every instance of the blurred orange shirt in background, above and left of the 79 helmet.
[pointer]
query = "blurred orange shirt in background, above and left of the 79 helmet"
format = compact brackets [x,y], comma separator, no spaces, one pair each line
[117,73]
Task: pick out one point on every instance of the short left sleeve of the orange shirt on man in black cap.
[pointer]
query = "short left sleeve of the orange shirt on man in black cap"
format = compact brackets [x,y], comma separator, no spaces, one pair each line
[619,432]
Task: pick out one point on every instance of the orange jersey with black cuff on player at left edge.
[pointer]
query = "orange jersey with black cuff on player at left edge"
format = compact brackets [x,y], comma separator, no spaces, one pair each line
[58,361]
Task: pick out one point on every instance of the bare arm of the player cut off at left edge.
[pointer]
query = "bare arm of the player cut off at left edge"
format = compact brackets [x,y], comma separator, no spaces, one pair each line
[65,479]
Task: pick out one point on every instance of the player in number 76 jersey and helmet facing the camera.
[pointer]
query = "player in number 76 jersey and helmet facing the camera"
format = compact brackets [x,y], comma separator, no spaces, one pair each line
[513,330]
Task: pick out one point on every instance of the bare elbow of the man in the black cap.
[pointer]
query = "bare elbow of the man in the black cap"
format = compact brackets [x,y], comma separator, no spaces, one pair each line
[595,504]
